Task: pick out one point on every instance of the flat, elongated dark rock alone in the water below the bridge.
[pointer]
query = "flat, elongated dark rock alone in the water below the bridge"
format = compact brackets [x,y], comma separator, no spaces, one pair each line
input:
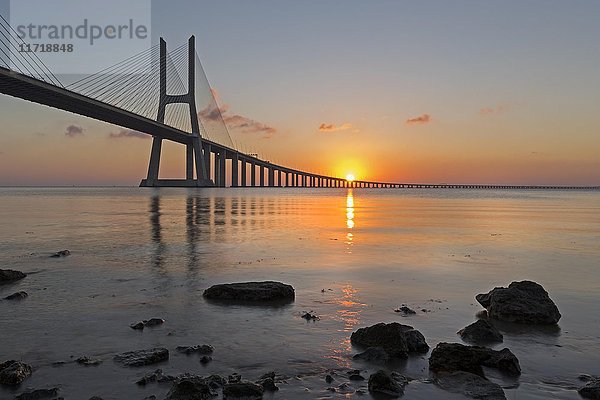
[251,291]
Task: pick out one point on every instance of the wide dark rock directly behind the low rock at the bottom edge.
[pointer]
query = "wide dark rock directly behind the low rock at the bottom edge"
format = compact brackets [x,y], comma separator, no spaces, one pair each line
[451,357]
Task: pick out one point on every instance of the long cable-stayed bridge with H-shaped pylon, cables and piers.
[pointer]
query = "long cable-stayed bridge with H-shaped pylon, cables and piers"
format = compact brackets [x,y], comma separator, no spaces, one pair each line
[166,94]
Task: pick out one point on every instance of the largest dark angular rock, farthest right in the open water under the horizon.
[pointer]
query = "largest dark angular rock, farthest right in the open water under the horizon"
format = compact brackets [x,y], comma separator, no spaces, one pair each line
[522,302]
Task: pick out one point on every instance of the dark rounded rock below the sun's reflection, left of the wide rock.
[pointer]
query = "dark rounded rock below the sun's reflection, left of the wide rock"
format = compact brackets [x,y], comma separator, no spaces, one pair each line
[396,339]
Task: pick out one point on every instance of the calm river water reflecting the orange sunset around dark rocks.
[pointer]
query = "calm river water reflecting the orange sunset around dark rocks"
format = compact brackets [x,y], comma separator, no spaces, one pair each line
[352,256]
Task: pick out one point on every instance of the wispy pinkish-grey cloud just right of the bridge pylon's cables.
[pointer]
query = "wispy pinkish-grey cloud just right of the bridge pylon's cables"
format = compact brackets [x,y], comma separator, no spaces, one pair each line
[214,113]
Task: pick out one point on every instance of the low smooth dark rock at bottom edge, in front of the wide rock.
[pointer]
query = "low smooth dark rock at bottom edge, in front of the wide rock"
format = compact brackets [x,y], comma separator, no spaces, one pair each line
[470,385]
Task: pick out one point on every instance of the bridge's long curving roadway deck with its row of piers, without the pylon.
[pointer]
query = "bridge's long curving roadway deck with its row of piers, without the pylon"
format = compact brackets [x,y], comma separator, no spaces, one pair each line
[269,174]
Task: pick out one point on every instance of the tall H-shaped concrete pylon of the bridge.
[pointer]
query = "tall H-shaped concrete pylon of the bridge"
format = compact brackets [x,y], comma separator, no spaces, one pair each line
[194,155]
